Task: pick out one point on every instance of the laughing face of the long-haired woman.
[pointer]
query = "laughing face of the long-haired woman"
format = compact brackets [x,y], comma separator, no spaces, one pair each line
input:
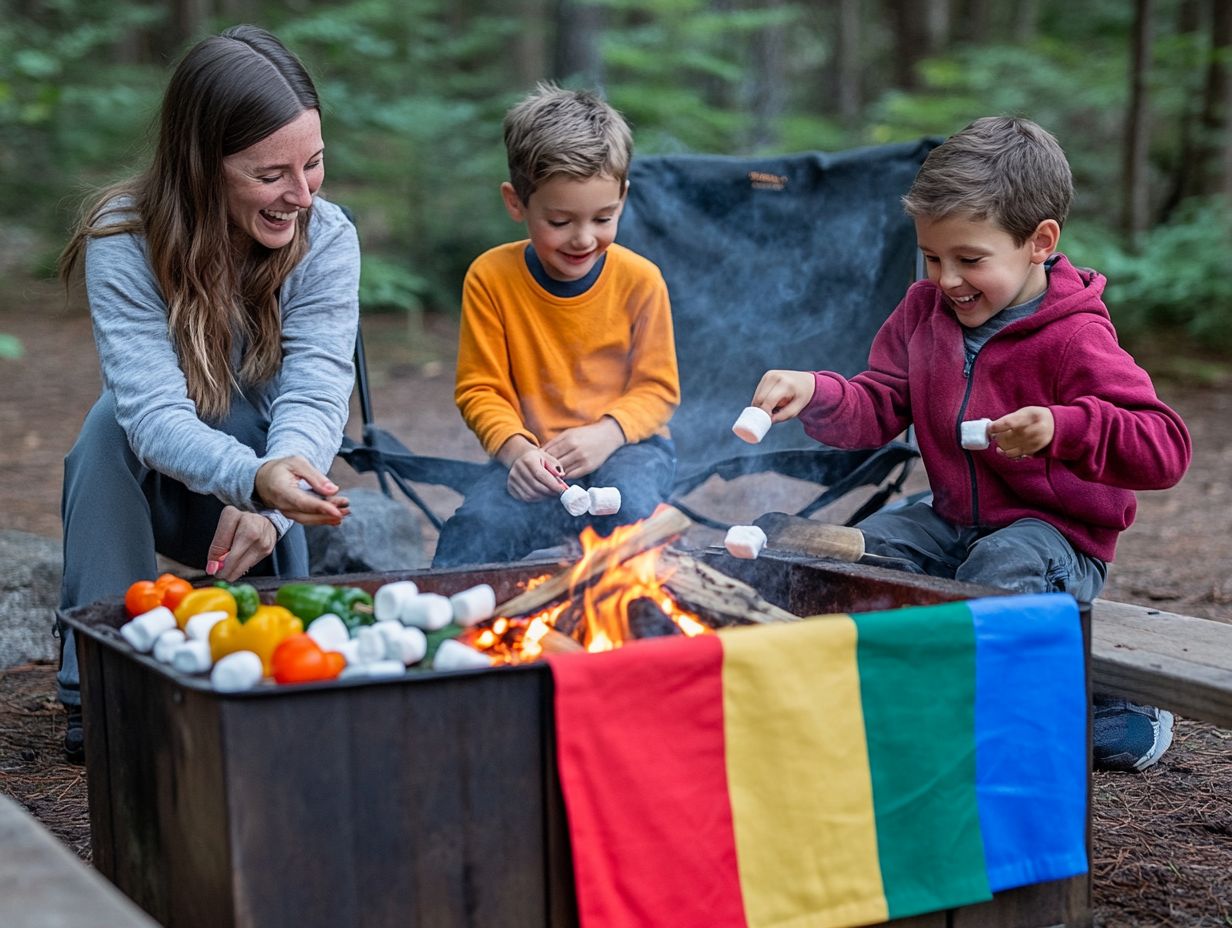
[270,182]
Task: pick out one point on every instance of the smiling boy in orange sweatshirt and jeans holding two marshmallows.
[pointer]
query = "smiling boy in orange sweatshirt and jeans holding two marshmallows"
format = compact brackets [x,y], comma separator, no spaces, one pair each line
[567,367]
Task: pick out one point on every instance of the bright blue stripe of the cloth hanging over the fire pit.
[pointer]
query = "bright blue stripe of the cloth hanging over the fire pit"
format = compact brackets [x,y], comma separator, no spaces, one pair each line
[1031,738]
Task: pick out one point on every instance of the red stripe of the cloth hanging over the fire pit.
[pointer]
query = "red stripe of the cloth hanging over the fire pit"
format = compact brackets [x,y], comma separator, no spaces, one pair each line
[640,749]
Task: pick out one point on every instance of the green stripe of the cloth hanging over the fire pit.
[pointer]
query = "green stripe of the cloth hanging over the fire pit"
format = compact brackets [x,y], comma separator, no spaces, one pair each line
[920,724]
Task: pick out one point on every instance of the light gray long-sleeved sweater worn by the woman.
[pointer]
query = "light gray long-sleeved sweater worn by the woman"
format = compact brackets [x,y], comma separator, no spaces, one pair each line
[307,402]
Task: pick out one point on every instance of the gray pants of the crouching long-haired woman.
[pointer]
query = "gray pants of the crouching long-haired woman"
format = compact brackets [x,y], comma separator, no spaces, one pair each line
[120,515]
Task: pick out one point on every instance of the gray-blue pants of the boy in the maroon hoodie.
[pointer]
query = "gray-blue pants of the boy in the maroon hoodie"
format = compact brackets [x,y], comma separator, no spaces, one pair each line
[1028,556]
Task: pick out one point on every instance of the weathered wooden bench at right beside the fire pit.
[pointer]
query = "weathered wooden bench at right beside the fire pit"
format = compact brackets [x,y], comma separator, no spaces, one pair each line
[1178,662]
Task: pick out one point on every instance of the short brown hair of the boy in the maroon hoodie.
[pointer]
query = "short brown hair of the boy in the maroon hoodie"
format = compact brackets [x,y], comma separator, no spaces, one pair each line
[1000,168]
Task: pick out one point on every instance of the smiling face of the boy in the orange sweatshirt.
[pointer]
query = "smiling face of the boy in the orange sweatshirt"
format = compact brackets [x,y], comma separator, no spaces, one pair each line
[571,222]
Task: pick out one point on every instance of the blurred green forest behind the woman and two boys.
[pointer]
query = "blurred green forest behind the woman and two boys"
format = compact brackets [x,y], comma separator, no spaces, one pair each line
[1138,92]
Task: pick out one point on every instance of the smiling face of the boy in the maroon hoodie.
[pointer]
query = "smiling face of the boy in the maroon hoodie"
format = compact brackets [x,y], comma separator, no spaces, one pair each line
[980,268]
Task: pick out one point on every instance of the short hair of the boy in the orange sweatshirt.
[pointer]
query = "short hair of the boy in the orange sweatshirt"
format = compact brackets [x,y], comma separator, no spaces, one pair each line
[565,132]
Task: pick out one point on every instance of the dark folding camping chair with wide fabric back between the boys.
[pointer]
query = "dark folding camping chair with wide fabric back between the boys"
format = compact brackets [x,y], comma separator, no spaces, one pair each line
[777,263]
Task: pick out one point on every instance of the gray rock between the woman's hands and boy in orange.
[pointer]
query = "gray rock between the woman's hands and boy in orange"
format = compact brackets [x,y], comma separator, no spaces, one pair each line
[380,534]
